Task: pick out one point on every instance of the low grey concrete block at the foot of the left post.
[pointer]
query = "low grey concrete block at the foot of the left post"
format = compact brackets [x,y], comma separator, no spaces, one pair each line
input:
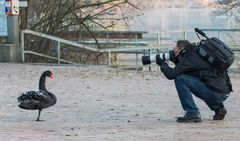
[10,53]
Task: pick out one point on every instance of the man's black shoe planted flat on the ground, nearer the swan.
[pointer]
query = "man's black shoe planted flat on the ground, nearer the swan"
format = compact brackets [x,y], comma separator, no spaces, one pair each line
[190,117]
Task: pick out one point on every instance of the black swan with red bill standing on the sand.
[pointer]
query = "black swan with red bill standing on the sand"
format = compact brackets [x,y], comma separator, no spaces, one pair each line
[38,100]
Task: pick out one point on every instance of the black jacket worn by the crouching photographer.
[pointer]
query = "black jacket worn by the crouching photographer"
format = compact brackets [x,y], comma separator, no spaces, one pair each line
[191,63]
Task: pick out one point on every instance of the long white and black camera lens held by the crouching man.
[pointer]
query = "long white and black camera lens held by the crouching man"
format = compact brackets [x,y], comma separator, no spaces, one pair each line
[164,56]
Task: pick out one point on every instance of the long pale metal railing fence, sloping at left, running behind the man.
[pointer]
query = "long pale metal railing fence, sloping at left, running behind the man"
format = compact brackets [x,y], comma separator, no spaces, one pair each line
[125,51]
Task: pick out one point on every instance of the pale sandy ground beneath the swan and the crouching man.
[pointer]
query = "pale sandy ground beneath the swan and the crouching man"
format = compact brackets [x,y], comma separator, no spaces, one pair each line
[98,103]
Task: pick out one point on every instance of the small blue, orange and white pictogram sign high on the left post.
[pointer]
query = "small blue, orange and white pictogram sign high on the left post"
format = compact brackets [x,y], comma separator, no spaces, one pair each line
[12,7]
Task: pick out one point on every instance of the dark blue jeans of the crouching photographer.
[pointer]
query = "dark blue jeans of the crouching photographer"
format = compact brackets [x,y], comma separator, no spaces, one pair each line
[187,85]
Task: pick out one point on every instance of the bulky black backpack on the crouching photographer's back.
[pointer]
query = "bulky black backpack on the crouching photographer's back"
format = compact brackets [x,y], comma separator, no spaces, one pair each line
[215,52]
